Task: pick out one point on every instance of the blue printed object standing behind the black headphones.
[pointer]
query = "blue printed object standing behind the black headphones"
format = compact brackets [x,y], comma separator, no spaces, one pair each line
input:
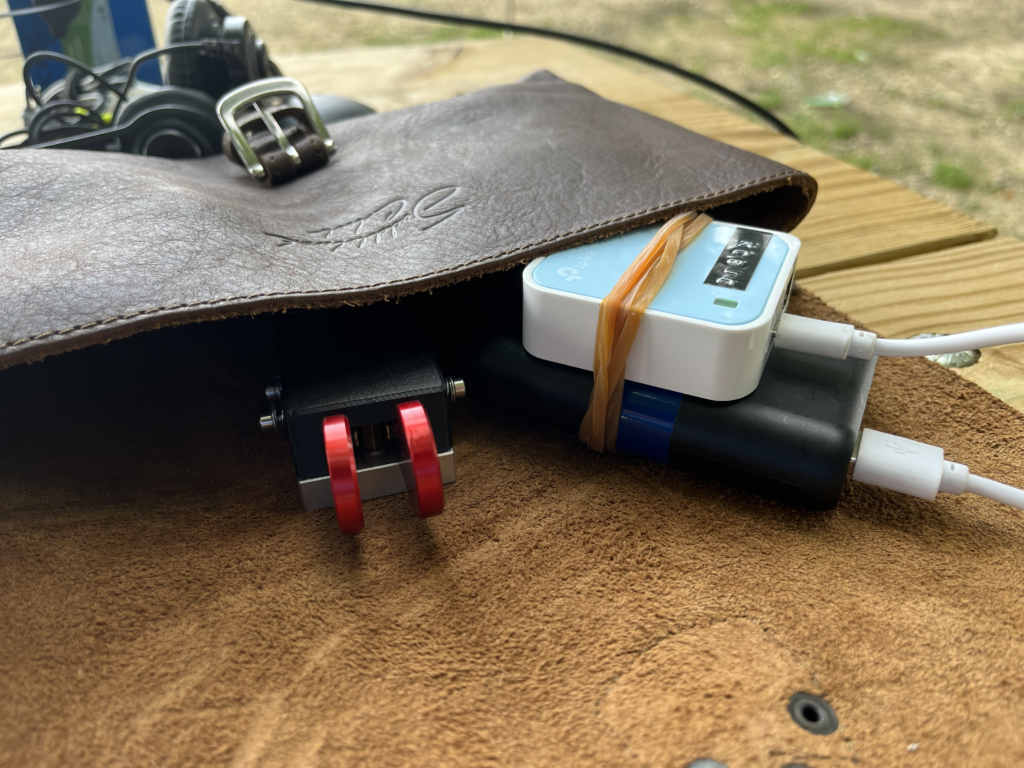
[96,32]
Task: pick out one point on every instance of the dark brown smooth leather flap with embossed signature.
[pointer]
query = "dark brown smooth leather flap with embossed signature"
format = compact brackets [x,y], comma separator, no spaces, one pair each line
[102,246]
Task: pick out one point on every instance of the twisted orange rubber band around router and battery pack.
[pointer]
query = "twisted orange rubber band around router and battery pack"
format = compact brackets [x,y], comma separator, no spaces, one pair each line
[619,322]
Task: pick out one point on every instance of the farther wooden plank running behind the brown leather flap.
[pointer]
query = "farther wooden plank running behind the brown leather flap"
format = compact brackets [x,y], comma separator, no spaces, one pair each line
[859,219]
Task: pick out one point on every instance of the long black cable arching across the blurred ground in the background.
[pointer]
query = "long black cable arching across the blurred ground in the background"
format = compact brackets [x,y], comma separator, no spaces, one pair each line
[541,32]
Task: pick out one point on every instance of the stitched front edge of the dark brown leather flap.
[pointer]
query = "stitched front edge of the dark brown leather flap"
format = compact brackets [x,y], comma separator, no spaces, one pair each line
[212,303]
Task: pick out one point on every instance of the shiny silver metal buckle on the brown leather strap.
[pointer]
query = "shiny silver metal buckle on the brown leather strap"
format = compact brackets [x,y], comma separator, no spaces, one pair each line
[251,95]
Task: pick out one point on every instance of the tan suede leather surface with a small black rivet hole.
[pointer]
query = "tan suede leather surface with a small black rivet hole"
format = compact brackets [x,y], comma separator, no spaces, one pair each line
[164,600]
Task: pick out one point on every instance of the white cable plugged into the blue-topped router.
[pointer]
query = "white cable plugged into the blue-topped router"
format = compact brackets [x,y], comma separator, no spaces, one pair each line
[840,340]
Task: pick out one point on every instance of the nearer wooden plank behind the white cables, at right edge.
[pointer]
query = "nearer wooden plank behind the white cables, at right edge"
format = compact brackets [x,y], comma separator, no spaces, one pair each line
[961,289]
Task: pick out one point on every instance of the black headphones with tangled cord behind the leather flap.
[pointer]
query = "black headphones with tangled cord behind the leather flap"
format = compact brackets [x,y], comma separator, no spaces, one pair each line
[208,53]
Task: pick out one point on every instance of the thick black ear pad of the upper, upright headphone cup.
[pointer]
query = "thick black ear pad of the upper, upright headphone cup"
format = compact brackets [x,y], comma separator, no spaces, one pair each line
[190,21]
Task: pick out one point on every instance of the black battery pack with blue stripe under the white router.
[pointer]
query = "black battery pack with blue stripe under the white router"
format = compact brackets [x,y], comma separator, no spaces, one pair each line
[793,438]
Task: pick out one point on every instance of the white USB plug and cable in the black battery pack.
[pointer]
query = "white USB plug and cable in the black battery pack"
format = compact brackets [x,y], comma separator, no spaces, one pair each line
[921,471]
